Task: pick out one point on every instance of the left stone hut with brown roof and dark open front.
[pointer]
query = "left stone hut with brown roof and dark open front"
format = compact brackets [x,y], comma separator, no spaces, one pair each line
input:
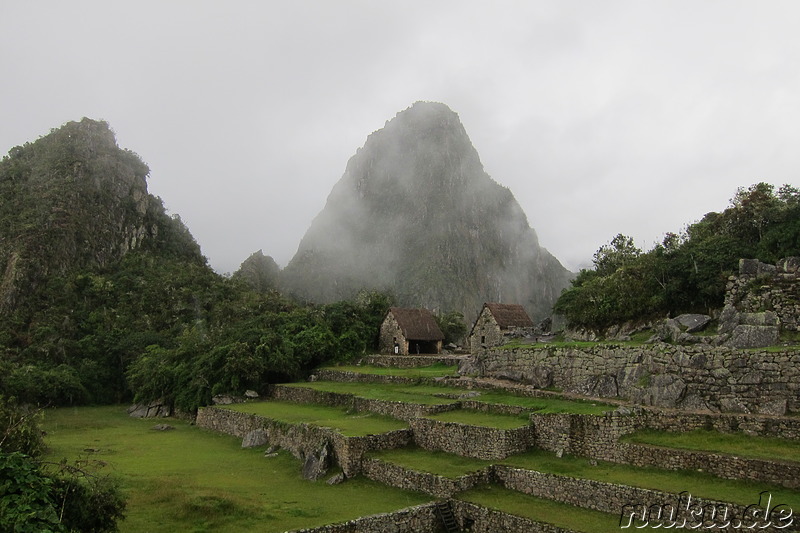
[410,331]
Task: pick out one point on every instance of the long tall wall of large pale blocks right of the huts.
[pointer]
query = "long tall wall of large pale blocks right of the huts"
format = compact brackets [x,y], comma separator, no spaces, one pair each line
[686,377]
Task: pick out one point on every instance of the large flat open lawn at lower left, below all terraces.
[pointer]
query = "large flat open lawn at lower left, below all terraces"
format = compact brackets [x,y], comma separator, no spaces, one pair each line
[192,480]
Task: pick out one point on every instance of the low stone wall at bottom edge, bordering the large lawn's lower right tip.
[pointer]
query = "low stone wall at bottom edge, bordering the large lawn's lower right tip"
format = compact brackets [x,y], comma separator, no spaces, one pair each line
[409,520]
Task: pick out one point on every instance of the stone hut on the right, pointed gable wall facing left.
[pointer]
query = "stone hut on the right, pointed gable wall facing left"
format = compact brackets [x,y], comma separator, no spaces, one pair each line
[497,323]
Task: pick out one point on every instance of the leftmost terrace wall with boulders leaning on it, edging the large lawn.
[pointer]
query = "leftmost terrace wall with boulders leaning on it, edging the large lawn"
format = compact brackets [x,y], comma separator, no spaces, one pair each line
[302,439]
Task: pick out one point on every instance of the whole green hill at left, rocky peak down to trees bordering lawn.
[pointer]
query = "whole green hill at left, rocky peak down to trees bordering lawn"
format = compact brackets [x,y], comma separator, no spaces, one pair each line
[104,296]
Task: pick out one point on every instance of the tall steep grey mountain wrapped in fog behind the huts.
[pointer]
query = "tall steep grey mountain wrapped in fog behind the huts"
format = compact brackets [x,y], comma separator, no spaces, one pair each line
[416,214]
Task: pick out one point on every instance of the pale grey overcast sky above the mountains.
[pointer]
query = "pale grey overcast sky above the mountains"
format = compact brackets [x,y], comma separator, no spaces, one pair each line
[602,117]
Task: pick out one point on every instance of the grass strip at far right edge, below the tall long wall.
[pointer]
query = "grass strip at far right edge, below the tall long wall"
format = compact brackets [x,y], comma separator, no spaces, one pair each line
[729,443]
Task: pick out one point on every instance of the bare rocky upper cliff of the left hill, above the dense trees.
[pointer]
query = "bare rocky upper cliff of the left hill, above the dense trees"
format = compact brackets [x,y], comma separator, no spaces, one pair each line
[73,200]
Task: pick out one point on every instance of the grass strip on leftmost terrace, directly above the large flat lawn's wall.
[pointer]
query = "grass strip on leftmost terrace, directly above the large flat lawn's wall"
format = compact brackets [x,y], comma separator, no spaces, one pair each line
[347,423]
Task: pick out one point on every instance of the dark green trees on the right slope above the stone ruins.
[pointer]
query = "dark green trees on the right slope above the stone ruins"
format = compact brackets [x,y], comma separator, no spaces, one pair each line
[686,272]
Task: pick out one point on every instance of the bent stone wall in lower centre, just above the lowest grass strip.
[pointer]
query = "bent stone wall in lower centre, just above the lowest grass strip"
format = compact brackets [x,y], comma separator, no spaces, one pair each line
[435,485]
